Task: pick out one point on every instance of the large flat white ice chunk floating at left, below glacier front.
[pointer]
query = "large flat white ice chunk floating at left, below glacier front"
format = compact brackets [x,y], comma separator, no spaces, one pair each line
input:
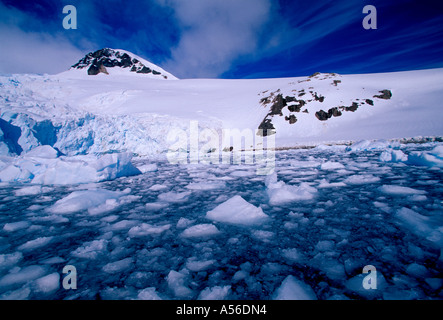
[85,199]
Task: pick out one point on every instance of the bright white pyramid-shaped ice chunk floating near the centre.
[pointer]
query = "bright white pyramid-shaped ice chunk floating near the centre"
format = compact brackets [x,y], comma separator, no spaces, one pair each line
[237,211]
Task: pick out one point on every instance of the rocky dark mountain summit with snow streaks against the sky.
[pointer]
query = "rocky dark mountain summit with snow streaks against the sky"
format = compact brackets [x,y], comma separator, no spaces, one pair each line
[106,59]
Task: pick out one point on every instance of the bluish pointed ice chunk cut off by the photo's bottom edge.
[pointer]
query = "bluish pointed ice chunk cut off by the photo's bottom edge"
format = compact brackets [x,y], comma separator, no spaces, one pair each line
[293,289]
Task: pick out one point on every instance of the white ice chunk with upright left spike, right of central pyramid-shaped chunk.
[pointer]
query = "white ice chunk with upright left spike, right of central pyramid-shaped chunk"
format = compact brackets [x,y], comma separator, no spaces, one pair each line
[280,193]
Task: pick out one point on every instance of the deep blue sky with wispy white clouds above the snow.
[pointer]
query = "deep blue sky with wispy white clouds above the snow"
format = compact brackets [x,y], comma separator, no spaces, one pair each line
[226,38]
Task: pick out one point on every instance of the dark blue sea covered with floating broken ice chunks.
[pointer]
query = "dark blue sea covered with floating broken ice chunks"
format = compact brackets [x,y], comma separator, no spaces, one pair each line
[223,232]
